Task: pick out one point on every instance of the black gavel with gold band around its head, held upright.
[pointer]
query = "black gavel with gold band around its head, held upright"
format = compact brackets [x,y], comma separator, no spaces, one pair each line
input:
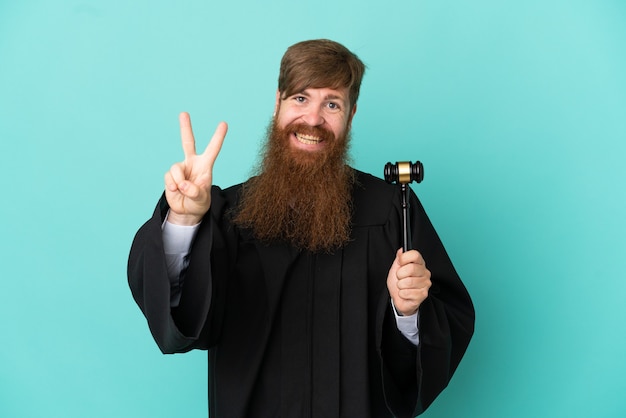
[403,173]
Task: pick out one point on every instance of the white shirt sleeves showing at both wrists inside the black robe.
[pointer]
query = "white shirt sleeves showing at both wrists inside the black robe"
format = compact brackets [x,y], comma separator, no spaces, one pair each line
[177,240]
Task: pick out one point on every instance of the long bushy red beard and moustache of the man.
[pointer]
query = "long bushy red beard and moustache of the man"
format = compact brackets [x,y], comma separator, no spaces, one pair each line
[302,197]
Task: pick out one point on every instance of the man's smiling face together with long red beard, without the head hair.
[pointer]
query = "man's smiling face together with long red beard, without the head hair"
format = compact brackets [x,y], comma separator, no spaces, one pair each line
[302,192]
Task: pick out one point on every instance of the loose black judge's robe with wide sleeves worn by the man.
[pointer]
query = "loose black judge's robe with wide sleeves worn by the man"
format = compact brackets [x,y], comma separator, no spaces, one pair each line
[291,333]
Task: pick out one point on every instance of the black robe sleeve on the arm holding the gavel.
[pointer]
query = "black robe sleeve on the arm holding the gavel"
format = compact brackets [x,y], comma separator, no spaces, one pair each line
[414,376]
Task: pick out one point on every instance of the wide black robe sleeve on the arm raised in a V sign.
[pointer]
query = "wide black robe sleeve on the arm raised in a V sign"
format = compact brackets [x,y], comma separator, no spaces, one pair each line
[195,322]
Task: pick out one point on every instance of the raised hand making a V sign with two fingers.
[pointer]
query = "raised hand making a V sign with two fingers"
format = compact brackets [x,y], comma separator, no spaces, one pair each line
[188,183]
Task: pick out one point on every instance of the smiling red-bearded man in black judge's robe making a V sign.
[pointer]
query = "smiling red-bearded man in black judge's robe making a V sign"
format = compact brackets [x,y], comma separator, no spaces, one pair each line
[294,281]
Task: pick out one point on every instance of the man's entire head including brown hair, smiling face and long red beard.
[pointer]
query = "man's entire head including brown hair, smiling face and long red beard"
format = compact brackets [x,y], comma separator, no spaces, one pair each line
[302,190]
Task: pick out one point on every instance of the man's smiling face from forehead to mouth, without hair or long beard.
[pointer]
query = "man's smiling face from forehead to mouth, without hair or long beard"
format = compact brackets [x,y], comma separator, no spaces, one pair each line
[314,118]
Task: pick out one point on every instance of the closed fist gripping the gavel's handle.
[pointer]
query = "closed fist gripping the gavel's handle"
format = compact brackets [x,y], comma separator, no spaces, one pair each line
[408,281]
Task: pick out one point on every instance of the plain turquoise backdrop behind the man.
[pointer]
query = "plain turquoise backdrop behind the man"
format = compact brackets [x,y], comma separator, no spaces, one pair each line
[517,109]
